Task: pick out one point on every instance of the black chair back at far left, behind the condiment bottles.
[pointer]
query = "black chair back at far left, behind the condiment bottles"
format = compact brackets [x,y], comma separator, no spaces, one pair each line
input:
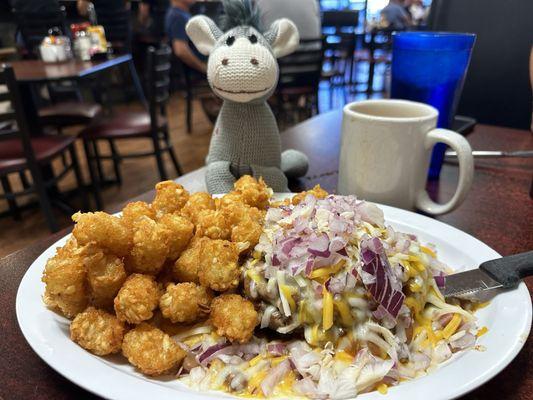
[34,26]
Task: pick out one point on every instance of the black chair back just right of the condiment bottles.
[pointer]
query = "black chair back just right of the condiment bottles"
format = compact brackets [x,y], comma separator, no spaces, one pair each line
[117,26]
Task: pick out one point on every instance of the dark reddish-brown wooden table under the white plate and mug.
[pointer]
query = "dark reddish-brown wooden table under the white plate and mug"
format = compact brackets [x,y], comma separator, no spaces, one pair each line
[498,211]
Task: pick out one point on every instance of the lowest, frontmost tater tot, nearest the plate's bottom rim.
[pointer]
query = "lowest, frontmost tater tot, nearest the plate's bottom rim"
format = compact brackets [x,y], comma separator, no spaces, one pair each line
[151,350]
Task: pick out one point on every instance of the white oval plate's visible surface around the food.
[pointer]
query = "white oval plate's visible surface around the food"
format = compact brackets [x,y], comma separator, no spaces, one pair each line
[508,318]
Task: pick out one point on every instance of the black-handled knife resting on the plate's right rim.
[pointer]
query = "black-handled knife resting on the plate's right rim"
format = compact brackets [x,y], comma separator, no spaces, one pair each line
[491,278]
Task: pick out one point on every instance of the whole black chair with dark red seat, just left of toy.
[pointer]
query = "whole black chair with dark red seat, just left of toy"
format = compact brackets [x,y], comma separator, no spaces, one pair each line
[149,124]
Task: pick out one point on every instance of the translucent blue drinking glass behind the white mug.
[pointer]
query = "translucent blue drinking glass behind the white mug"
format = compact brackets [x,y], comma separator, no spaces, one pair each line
[430,67]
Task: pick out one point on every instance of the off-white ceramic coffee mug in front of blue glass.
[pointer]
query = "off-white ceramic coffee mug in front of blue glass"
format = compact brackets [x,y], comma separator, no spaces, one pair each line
[385,152]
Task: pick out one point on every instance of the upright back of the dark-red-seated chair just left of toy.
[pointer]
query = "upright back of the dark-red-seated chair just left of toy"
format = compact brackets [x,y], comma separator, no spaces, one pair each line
[158,80]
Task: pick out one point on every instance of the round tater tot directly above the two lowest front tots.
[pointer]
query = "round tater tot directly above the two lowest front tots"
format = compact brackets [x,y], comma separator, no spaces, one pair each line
[137,299]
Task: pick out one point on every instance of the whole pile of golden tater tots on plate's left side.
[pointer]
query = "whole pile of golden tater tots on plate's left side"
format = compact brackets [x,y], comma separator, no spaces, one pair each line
[128,282]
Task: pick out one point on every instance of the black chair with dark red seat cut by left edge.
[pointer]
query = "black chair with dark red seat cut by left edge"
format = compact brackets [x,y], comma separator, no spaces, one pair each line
[20,153]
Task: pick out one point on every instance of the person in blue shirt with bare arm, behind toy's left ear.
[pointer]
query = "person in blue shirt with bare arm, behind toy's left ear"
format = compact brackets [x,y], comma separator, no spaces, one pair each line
[177,17]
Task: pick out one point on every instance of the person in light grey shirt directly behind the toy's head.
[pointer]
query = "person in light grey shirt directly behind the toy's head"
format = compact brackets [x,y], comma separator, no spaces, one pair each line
[304,13]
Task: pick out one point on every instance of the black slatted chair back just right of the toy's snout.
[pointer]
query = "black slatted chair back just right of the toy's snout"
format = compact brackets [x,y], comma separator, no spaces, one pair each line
[303,68]
